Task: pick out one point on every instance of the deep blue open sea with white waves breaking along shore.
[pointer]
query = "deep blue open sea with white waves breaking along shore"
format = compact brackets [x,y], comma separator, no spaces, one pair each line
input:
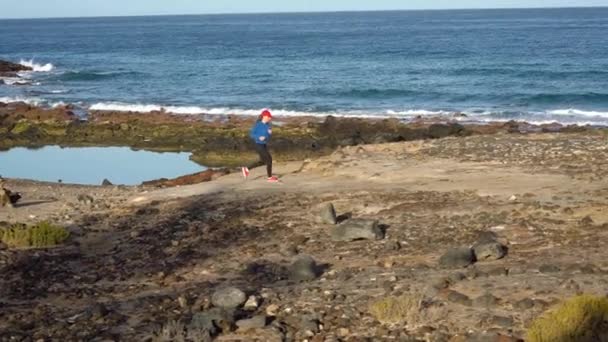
[539,65]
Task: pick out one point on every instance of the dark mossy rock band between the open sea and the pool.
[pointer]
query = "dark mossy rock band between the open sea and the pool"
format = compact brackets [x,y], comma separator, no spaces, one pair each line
[222,141]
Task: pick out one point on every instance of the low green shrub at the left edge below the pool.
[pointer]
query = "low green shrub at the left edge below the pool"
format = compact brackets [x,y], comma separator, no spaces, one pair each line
[40,235]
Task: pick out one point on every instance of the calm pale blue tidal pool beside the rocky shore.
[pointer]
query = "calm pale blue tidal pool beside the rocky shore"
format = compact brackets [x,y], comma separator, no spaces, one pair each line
[91,165]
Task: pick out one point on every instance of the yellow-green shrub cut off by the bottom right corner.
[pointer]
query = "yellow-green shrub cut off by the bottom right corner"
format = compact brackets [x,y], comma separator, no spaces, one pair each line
[579,319]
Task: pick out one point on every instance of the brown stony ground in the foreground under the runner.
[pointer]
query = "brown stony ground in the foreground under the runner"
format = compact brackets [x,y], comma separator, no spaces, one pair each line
[143,262]
